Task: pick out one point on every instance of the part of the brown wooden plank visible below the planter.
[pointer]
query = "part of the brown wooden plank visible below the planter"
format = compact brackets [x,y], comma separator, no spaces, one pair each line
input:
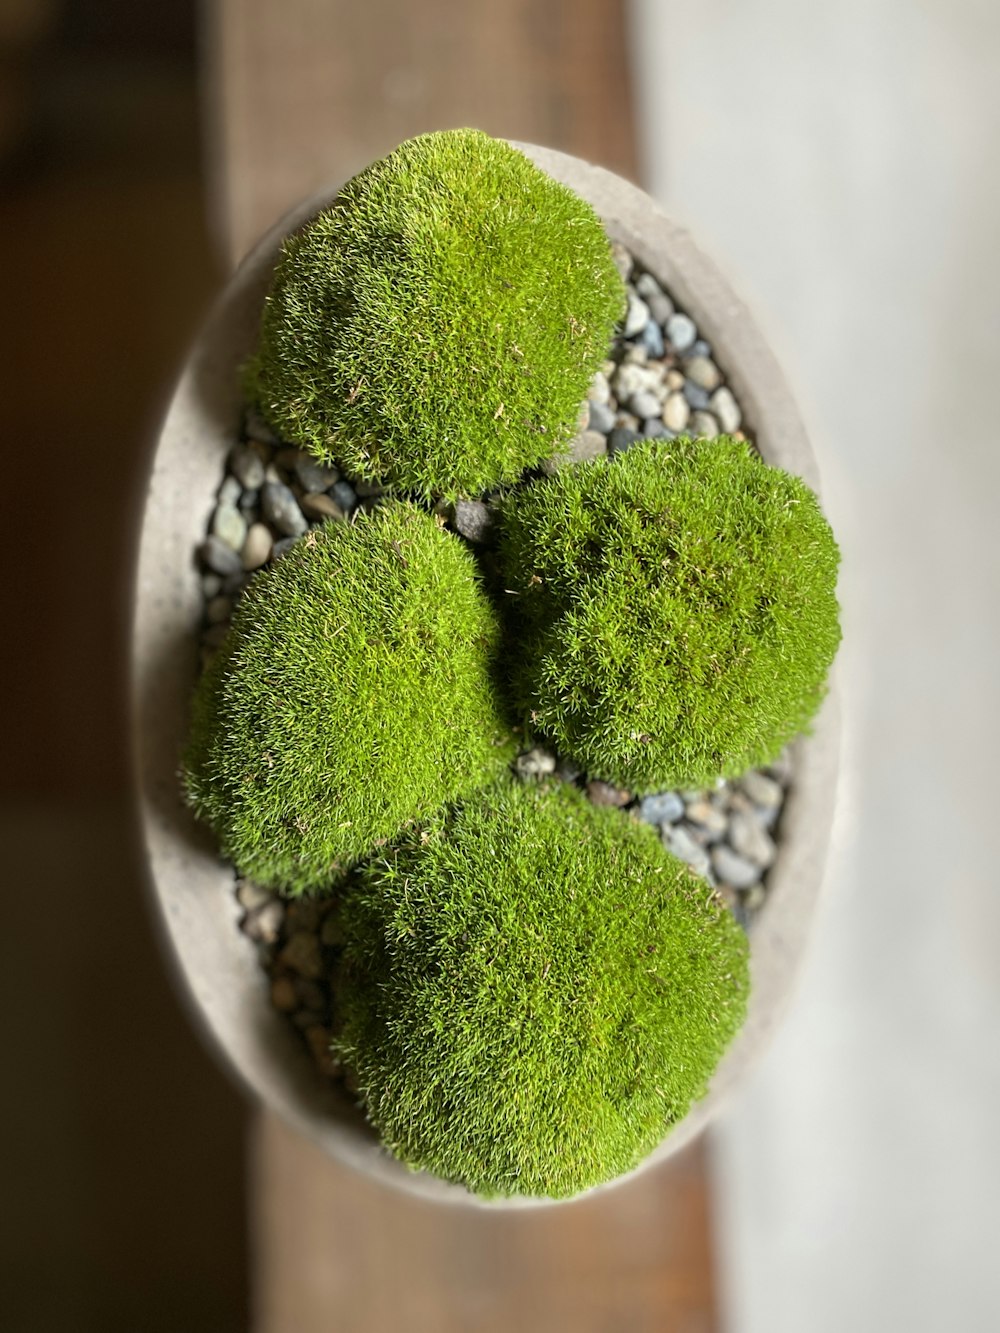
[334,1251]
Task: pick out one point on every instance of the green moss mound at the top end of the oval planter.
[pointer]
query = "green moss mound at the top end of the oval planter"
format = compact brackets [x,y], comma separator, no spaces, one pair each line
[438,327]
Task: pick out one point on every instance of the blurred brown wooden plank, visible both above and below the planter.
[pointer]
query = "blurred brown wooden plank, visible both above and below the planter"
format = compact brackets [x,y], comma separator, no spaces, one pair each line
[306,93]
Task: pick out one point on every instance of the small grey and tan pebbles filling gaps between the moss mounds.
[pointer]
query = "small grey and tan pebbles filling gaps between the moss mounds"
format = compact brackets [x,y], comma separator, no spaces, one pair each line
[661,379]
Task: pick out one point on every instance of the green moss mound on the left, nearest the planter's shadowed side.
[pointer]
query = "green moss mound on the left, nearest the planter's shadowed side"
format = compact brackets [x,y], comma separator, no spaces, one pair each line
[353,694]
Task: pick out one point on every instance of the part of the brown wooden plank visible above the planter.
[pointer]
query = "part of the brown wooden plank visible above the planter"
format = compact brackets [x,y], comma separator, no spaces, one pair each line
[307,93]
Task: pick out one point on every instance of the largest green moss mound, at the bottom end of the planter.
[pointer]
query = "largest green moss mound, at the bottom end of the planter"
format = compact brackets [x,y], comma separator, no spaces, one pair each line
[534,992]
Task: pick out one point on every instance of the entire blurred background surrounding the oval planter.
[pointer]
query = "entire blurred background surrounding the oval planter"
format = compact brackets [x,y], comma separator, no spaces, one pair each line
[842,166]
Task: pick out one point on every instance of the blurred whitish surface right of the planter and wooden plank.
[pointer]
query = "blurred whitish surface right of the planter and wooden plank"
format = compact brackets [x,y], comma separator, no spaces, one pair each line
[843,165]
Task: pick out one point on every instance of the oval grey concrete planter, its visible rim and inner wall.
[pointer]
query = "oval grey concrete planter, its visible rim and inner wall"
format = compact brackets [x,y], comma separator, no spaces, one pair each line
[194,890]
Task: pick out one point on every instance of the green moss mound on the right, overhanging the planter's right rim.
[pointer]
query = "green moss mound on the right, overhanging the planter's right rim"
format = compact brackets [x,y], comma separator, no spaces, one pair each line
[677,611]
